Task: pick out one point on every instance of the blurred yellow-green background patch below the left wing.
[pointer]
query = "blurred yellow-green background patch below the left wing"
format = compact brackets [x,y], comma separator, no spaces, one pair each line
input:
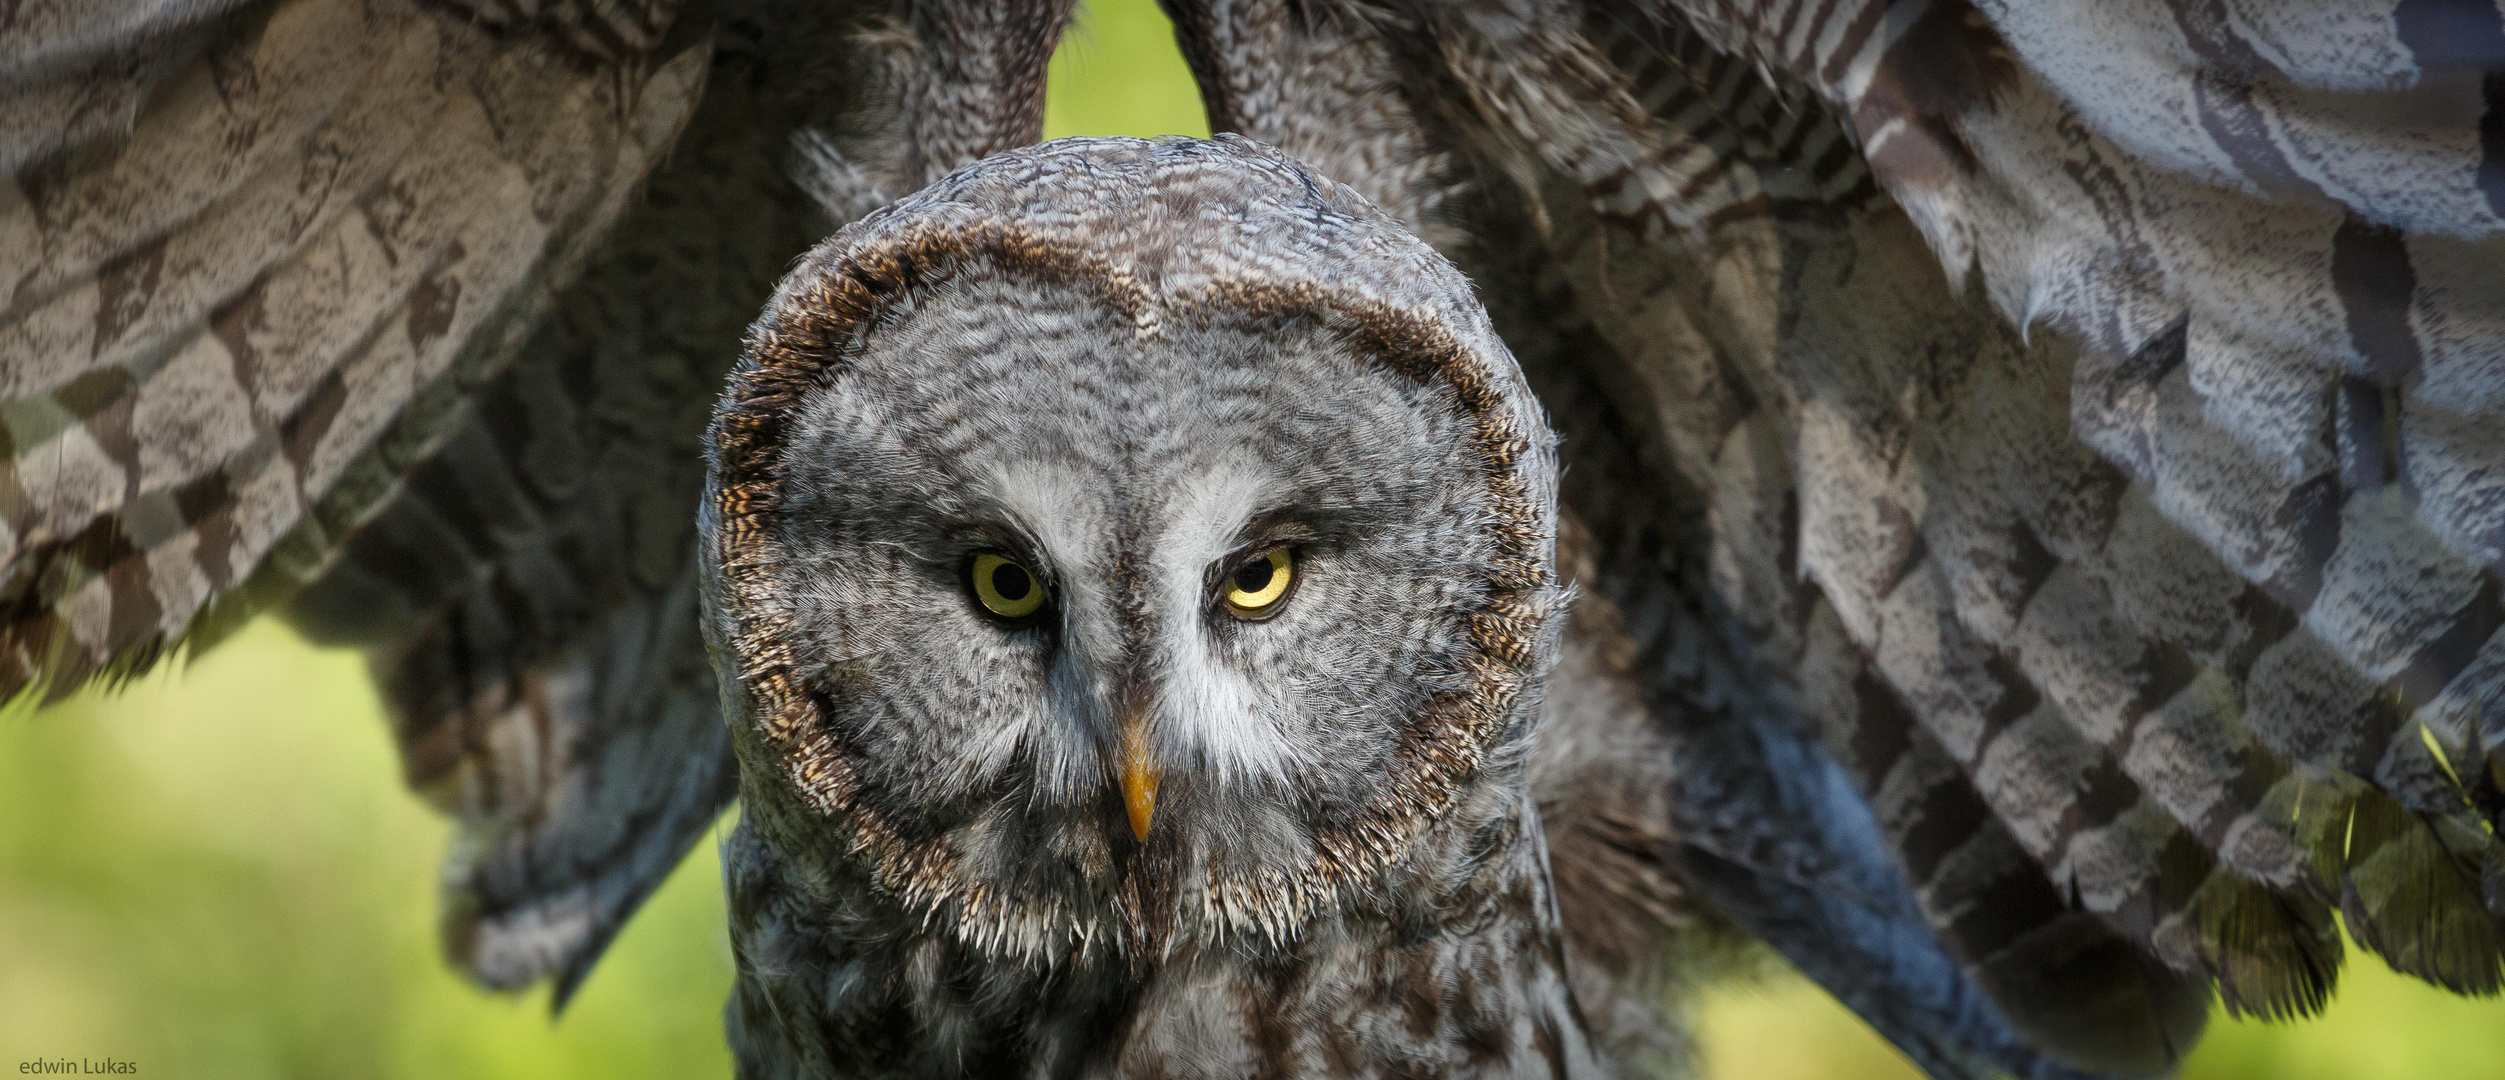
[219,876]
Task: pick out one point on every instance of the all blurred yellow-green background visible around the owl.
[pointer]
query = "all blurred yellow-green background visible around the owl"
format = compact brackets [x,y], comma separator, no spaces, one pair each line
[217,873]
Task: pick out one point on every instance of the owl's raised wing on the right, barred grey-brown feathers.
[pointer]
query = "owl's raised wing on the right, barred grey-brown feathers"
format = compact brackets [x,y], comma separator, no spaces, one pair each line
[2080,420]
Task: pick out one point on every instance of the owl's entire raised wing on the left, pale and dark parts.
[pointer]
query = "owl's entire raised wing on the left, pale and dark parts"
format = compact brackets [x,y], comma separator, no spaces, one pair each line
[407,317]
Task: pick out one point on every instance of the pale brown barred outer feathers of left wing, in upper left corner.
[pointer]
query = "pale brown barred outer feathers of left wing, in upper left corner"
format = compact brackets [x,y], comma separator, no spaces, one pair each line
[224,307]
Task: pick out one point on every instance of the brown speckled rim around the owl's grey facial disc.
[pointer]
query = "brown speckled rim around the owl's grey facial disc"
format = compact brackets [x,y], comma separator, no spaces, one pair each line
[815,332]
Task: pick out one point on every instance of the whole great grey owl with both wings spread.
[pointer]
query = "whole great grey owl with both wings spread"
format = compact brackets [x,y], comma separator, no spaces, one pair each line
[2023,532]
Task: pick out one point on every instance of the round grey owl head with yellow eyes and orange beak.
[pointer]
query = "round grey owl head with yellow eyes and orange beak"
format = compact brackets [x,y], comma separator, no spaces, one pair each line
[1123,543]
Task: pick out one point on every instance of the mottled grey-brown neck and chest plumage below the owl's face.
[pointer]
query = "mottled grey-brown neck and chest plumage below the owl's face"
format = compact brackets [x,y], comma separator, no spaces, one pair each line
[1449,966]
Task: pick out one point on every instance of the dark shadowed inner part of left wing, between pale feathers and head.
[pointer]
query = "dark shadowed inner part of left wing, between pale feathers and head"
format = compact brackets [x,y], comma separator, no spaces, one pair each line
[527,598]
